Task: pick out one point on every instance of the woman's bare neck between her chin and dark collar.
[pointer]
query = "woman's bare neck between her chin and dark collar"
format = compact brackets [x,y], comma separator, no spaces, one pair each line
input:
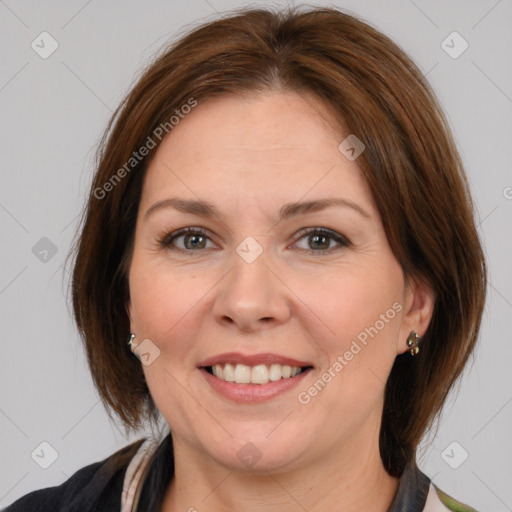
[350,481]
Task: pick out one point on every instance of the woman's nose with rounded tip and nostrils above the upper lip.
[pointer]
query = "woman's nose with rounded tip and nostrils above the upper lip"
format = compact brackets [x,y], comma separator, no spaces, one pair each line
[252,297]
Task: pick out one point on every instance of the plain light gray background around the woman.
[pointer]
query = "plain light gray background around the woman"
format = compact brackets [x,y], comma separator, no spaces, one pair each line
[52,113]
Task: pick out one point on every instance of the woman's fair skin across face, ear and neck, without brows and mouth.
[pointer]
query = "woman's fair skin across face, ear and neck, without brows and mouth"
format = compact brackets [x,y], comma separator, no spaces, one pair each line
[249,156]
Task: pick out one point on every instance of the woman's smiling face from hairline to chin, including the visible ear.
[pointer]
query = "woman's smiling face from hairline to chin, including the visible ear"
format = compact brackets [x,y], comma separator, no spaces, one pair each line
[269,277]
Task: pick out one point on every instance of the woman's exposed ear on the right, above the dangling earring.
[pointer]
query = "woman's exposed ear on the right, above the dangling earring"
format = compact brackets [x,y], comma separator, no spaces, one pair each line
[418,309]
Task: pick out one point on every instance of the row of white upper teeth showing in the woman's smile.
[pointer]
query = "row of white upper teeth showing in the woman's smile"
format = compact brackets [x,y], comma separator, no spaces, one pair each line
[259,374]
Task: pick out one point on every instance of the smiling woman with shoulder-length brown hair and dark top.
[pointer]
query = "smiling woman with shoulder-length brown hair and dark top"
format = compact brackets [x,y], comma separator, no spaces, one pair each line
[281,225]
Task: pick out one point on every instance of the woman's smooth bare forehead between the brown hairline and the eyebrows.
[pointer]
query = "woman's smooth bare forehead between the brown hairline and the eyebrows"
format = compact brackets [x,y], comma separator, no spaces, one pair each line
[272,144]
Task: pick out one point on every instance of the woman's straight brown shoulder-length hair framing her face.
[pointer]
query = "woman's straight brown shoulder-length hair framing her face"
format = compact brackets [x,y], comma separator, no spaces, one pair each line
[410,163]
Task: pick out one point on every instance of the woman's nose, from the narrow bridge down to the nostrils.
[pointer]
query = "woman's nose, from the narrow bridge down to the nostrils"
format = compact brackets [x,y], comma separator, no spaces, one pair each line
[251,294]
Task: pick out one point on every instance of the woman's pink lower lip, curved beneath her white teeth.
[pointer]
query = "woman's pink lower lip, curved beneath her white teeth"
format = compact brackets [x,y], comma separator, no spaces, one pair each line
[252,392]
